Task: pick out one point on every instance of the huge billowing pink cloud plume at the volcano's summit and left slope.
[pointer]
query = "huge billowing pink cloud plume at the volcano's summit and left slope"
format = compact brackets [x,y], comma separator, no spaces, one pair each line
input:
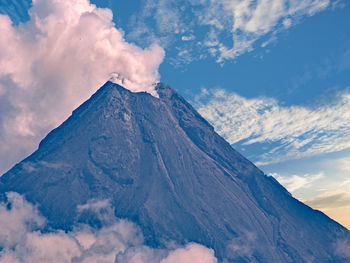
[55,61]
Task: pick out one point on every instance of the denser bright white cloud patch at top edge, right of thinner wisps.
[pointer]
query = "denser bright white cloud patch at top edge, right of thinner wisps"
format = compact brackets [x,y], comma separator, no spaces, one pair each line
[252,20]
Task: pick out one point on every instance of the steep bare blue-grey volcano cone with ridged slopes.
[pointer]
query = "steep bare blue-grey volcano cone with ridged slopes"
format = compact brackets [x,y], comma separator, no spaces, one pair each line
[164,167]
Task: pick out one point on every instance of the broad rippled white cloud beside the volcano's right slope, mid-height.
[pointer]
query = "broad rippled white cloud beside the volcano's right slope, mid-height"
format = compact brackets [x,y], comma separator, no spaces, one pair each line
[292,131]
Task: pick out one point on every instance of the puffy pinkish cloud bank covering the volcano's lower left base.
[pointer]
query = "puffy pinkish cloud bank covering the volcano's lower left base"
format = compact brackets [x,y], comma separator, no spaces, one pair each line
[23,241]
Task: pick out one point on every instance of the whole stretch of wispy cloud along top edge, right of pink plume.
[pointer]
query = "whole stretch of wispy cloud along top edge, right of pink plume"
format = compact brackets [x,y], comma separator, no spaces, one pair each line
[230,28]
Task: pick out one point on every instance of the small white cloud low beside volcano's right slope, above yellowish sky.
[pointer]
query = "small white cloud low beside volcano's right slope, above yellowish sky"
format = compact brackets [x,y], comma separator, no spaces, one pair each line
[295,182]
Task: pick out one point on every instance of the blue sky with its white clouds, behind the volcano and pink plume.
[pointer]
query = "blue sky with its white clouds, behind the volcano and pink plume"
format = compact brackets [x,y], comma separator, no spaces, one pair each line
[273,77]
